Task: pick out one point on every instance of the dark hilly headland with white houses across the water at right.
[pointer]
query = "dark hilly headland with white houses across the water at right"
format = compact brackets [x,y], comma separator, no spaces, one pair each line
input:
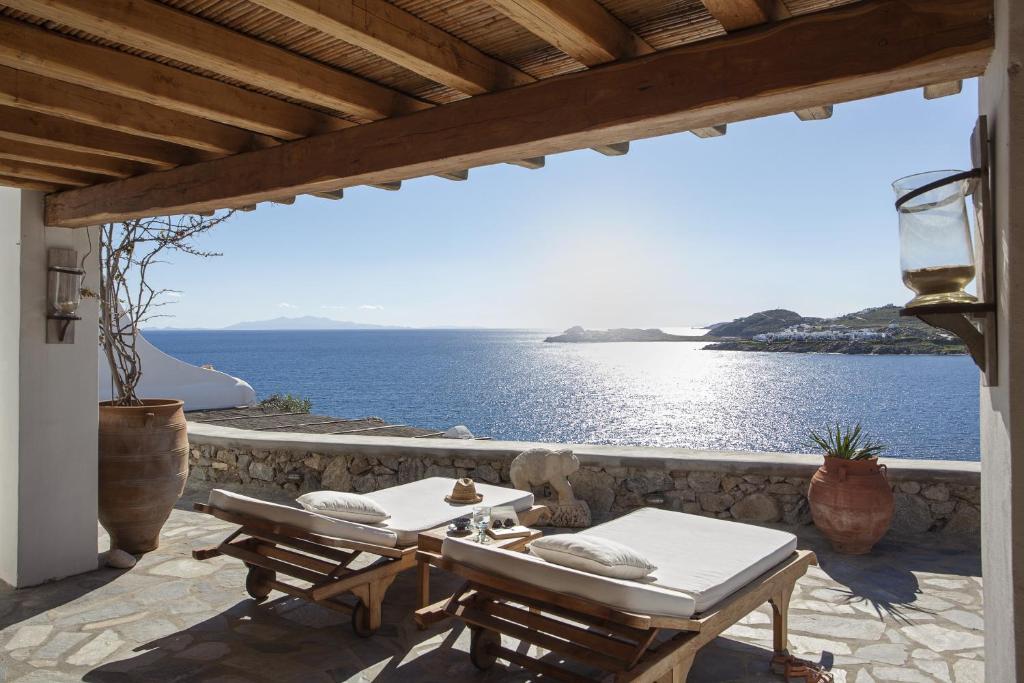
[872,331]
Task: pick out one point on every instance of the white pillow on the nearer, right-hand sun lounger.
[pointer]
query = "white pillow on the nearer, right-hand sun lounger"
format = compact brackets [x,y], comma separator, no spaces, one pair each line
[593,556]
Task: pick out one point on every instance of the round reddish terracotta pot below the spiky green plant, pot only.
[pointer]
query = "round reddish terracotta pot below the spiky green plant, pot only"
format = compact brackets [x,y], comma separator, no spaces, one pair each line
[851,503]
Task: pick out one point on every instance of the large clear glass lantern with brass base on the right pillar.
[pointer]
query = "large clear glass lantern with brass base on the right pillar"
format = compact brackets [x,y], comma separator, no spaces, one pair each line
[936,255]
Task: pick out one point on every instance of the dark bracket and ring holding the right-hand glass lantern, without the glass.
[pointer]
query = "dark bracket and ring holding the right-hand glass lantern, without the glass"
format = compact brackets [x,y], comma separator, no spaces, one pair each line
[974,324]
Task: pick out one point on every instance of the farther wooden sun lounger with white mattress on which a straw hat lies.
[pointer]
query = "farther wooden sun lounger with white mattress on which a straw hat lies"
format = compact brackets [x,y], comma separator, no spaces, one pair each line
[278,541]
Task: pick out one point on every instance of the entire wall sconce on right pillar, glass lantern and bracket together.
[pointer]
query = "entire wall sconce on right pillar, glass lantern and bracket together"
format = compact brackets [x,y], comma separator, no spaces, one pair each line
[937,259]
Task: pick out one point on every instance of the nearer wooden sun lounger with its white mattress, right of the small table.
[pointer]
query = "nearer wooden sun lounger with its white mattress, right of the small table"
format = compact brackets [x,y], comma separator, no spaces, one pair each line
[710,575]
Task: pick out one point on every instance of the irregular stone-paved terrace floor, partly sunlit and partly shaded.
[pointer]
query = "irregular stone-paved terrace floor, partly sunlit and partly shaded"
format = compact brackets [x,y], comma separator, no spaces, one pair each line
[911,612]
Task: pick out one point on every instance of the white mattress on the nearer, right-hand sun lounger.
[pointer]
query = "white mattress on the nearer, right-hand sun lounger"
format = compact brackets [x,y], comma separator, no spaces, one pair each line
[701,562]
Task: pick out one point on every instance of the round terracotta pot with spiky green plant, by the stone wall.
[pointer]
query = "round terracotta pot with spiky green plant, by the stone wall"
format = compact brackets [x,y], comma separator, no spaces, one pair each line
[850,497]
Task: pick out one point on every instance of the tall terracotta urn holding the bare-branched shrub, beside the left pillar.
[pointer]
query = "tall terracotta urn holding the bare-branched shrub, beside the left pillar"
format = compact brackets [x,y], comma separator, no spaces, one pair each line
[144,464]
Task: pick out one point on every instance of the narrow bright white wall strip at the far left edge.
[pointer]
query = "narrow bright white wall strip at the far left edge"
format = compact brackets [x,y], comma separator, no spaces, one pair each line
[11,237]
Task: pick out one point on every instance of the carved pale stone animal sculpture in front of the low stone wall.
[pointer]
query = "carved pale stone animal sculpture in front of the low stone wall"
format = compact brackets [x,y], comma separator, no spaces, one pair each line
[538,467]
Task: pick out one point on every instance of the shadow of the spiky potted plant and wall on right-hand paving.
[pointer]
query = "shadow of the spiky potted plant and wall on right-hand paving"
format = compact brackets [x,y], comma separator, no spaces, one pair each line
[887,580]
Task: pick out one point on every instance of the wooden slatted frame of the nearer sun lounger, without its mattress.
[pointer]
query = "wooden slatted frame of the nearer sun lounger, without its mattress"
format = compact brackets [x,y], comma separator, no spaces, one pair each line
[619,643]
